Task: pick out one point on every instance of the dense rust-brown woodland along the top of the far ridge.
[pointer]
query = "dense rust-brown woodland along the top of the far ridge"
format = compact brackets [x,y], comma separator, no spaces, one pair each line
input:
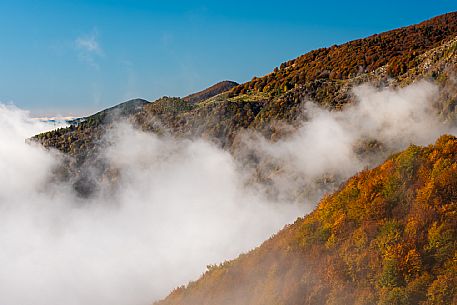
[397,50]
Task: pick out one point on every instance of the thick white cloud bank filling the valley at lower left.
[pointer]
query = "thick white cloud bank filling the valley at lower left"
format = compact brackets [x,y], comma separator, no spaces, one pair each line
[179,206]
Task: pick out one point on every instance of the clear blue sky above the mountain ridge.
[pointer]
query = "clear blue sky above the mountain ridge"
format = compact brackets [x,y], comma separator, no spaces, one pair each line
[62,57]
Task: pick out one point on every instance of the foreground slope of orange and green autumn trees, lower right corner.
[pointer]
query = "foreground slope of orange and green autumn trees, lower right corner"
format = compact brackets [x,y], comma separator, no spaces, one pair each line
[388,236]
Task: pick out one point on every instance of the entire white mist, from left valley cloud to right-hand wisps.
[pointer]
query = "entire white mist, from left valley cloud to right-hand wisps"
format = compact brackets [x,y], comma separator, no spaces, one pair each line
[178,204]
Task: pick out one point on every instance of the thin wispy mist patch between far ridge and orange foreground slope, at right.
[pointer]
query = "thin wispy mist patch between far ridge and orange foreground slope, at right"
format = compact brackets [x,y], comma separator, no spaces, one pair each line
[331,146]
